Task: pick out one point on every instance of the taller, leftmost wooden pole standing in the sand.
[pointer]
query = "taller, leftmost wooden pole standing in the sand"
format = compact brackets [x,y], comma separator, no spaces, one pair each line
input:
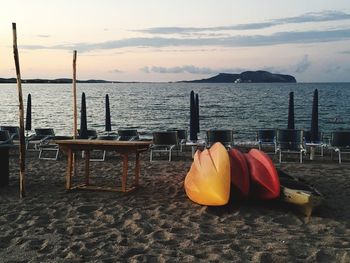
[21,116]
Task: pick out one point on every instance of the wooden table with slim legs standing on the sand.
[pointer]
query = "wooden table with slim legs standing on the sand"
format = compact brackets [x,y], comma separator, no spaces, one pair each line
[125,148]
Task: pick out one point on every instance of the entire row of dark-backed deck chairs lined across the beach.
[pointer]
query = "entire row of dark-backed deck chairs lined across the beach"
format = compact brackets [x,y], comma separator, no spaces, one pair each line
[282,141]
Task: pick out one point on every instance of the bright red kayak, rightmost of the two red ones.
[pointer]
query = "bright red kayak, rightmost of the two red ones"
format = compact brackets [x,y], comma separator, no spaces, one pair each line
[263,175]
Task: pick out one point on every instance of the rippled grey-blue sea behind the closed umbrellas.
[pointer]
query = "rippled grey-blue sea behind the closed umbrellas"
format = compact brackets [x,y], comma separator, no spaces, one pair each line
[149,107]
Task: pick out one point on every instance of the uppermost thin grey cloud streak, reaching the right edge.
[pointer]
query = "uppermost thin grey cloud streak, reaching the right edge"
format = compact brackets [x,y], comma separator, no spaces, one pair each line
[323,16]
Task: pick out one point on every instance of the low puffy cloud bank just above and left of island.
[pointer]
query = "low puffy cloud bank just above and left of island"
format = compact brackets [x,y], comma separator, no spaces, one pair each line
[188,69]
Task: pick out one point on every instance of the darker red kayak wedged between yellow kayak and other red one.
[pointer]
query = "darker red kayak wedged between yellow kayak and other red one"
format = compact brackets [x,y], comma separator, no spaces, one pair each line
[239,171]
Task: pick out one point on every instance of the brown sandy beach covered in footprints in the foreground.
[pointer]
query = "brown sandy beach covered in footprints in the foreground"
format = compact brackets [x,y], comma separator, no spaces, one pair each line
[158,223]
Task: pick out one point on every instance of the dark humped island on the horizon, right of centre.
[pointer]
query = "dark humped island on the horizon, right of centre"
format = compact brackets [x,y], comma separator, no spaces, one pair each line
[259,76]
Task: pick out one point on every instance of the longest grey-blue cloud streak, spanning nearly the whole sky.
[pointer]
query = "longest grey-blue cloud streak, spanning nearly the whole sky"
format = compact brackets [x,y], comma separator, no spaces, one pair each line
[291,37]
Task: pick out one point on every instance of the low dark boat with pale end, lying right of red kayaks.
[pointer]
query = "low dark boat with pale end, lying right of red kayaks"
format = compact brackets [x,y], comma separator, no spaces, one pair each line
[299,193]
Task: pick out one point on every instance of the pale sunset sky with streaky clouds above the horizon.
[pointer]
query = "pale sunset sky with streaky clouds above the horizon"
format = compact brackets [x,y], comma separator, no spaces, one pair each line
[173,40]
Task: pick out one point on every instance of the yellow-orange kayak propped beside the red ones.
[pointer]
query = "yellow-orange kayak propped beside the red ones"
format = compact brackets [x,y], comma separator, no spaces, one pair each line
[208,181]
